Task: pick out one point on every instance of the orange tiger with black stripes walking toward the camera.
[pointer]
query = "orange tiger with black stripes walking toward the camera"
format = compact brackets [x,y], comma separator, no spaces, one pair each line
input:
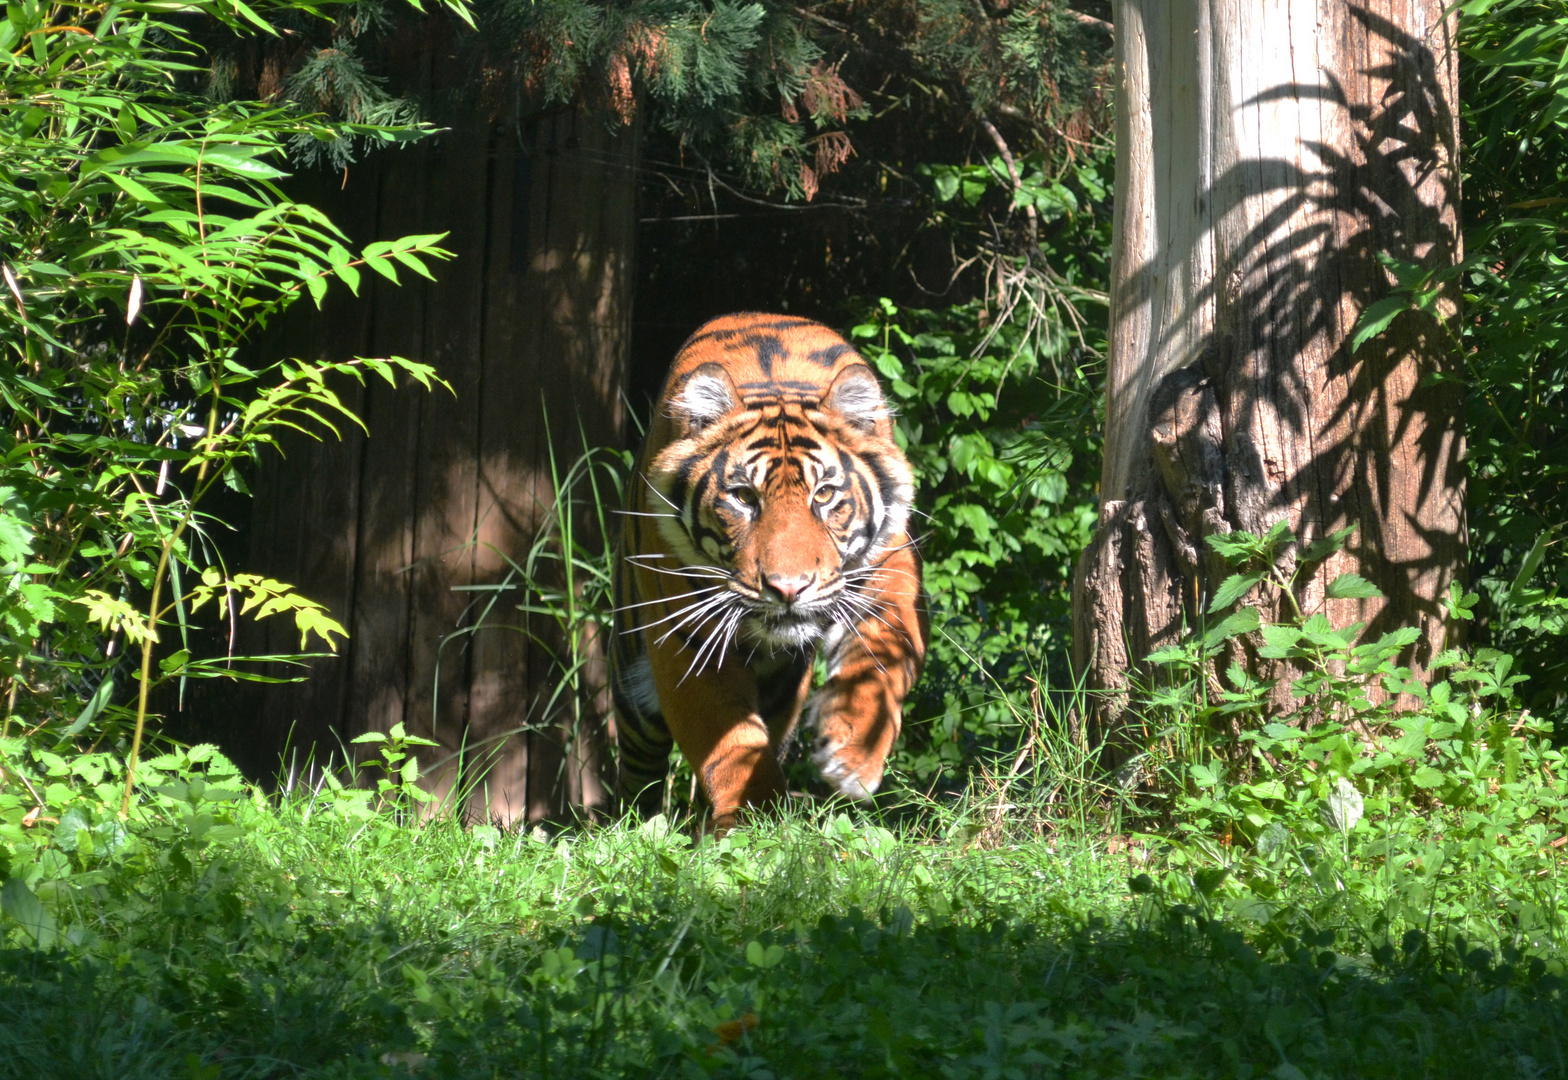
[768,520]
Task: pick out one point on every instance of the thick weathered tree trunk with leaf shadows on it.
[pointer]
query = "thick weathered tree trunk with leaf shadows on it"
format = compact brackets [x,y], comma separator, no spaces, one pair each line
[1266,154]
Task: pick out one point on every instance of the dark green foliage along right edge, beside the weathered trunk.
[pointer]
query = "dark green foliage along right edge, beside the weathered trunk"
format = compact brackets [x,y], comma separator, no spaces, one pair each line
[1514,96]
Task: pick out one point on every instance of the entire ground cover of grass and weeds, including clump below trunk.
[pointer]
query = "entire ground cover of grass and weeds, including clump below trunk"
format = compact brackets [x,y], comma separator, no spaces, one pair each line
[1357,893]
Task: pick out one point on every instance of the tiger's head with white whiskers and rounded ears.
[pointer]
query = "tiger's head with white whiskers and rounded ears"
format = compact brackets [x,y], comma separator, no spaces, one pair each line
[782,504]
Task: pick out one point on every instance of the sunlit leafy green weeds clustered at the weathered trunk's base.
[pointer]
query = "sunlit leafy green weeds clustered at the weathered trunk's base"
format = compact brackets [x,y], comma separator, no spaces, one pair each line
[1365,752]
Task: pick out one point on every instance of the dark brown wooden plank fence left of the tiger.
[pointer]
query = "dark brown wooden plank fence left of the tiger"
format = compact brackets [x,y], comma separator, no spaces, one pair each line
[531,321]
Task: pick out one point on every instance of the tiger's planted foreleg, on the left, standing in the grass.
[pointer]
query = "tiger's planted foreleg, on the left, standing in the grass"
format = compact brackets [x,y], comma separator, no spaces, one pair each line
[714,717]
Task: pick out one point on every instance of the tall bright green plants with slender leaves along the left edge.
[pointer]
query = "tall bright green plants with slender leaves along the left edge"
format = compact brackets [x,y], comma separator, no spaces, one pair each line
[147,244]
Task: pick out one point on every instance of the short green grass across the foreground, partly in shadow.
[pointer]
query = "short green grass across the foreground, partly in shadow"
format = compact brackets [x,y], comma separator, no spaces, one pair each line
[297,941]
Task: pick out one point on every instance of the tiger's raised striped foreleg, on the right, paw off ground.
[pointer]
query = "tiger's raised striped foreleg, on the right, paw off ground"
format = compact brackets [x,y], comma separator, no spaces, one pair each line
[858,711]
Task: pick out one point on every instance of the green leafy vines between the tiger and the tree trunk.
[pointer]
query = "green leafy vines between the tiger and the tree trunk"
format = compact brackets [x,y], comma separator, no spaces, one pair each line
[998,402]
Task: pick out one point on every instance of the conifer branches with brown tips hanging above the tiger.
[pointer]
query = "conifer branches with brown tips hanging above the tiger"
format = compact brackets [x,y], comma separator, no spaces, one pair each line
[755,90]
